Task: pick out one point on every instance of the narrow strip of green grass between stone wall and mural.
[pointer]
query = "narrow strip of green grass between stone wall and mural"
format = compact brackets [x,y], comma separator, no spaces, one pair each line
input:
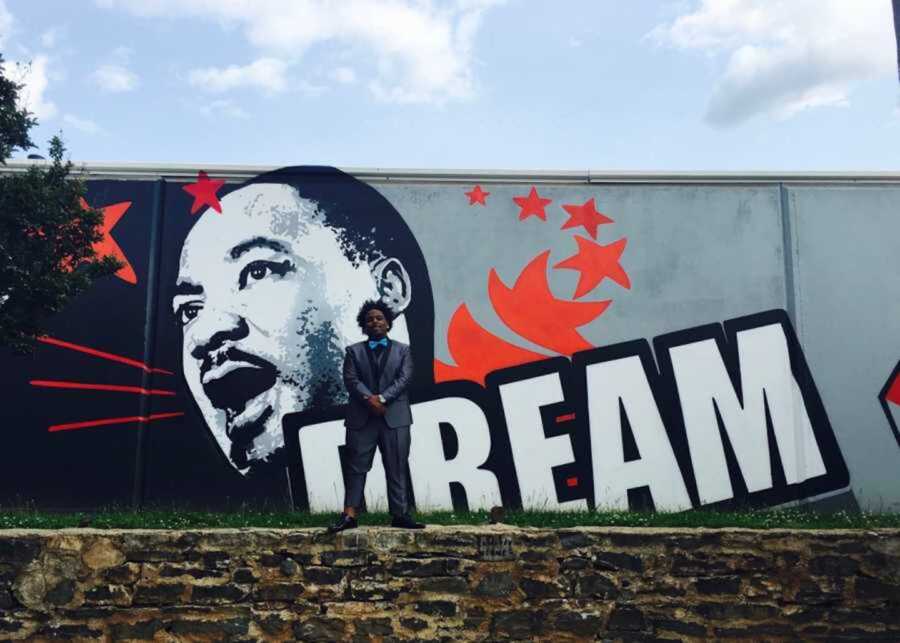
[179,519]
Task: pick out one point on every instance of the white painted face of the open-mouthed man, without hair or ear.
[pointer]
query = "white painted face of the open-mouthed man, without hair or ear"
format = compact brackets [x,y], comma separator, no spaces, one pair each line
[267,300]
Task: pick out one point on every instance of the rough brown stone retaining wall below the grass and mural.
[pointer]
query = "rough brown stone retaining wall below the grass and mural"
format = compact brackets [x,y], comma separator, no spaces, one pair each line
[450,583]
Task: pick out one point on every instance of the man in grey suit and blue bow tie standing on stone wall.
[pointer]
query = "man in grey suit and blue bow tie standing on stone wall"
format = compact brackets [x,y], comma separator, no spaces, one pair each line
[377,373]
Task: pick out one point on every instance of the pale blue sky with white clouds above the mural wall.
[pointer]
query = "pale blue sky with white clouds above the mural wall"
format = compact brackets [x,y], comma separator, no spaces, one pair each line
[688,85]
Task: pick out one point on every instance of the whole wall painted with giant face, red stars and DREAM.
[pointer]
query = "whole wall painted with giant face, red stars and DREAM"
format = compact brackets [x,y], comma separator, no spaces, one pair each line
[576,345]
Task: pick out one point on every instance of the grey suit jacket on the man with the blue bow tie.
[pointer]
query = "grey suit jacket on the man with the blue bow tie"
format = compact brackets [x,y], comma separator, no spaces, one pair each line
[396,374]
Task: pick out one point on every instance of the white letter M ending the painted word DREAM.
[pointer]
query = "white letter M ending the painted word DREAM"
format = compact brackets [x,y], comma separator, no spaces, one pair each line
[743,389]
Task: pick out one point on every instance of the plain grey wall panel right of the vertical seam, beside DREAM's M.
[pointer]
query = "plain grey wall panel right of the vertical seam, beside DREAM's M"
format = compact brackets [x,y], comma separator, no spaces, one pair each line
[847,289]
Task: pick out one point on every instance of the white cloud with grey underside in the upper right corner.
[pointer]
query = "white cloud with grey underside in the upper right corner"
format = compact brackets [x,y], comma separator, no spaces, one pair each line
[785,57]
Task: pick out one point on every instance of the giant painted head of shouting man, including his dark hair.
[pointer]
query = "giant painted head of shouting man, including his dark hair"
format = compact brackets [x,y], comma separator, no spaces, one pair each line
[267,294]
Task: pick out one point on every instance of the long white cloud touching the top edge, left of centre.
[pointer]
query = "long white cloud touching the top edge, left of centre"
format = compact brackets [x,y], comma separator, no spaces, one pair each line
[421,51]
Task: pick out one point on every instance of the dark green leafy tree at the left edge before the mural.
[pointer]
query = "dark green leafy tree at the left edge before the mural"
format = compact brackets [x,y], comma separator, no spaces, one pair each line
[46,235]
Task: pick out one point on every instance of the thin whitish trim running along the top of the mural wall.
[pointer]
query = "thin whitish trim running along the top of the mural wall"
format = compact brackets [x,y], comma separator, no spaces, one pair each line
[178,171]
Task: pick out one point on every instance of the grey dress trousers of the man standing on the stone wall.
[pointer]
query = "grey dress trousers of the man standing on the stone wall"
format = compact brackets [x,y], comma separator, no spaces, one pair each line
[394,447]
